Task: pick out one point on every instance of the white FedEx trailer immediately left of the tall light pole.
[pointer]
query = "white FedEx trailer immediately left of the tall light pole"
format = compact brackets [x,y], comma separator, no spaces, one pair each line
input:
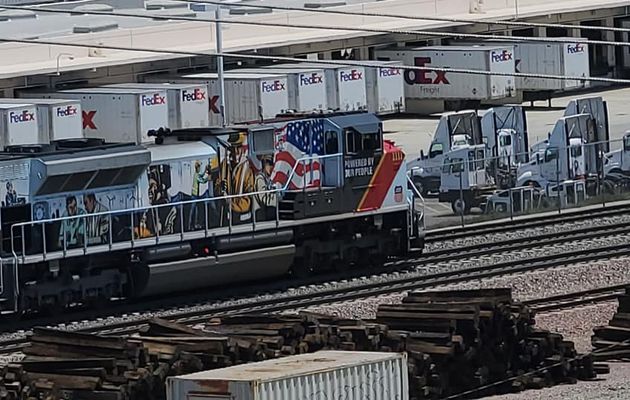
[188,105]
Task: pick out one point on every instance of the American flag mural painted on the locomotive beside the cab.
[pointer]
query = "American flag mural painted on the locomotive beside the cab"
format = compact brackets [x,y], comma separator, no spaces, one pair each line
[298,140]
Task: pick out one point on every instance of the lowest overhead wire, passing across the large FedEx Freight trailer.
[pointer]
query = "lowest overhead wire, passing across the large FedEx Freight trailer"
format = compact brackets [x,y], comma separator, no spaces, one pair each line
[340,63]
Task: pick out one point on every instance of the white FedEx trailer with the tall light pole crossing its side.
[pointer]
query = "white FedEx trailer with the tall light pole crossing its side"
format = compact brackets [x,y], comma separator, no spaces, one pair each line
[248,97]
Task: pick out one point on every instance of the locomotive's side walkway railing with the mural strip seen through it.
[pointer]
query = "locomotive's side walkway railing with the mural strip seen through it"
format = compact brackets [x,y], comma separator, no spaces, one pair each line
[149,225]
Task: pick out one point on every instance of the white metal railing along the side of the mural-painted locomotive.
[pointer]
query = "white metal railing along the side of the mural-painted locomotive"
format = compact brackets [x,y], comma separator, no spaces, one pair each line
[136,233]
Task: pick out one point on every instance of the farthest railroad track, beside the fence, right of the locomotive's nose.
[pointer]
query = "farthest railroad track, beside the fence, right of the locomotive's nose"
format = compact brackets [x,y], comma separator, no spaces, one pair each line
[525,222]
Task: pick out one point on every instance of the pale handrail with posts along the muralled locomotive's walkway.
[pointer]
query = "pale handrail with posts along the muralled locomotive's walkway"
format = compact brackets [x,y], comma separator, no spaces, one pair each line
[136,210]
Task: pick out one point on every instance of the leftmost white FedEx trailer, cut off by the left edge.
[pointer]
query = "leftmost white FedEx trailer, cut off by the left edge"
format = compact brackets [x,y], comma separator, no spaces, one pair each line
[19,126]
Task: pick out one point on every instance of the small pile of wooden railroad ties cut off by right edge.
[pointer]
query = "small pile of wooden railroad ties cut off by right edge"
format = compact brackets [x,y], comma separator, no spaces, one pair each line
[612,342]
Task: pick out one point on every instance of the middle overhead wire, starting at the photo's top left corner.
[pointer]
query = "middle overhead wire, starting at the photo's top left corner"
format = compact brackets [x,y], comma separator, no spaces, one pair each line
[325,27]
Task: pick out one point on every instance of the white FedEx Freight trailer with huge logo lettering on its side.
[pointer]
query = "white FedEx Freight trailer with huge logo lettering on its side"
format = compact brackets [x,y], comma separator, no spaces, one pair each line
[445,85]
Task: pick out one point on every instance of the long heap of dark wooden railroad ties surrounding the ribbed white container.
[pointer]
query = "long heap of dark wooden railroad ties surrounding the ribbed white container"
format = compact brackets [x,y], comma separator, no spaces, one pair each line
[456,341]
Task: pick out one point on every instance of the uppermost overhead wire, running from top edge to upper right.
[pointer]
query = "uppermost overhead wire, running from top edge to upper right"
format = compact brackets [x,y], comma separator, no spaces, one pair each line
[423,18]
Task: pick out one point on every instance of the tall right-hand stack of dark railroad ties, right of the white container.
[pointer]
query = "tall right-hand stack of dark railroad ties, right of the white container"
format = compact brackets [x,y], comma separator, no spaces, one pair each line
[462,340]
